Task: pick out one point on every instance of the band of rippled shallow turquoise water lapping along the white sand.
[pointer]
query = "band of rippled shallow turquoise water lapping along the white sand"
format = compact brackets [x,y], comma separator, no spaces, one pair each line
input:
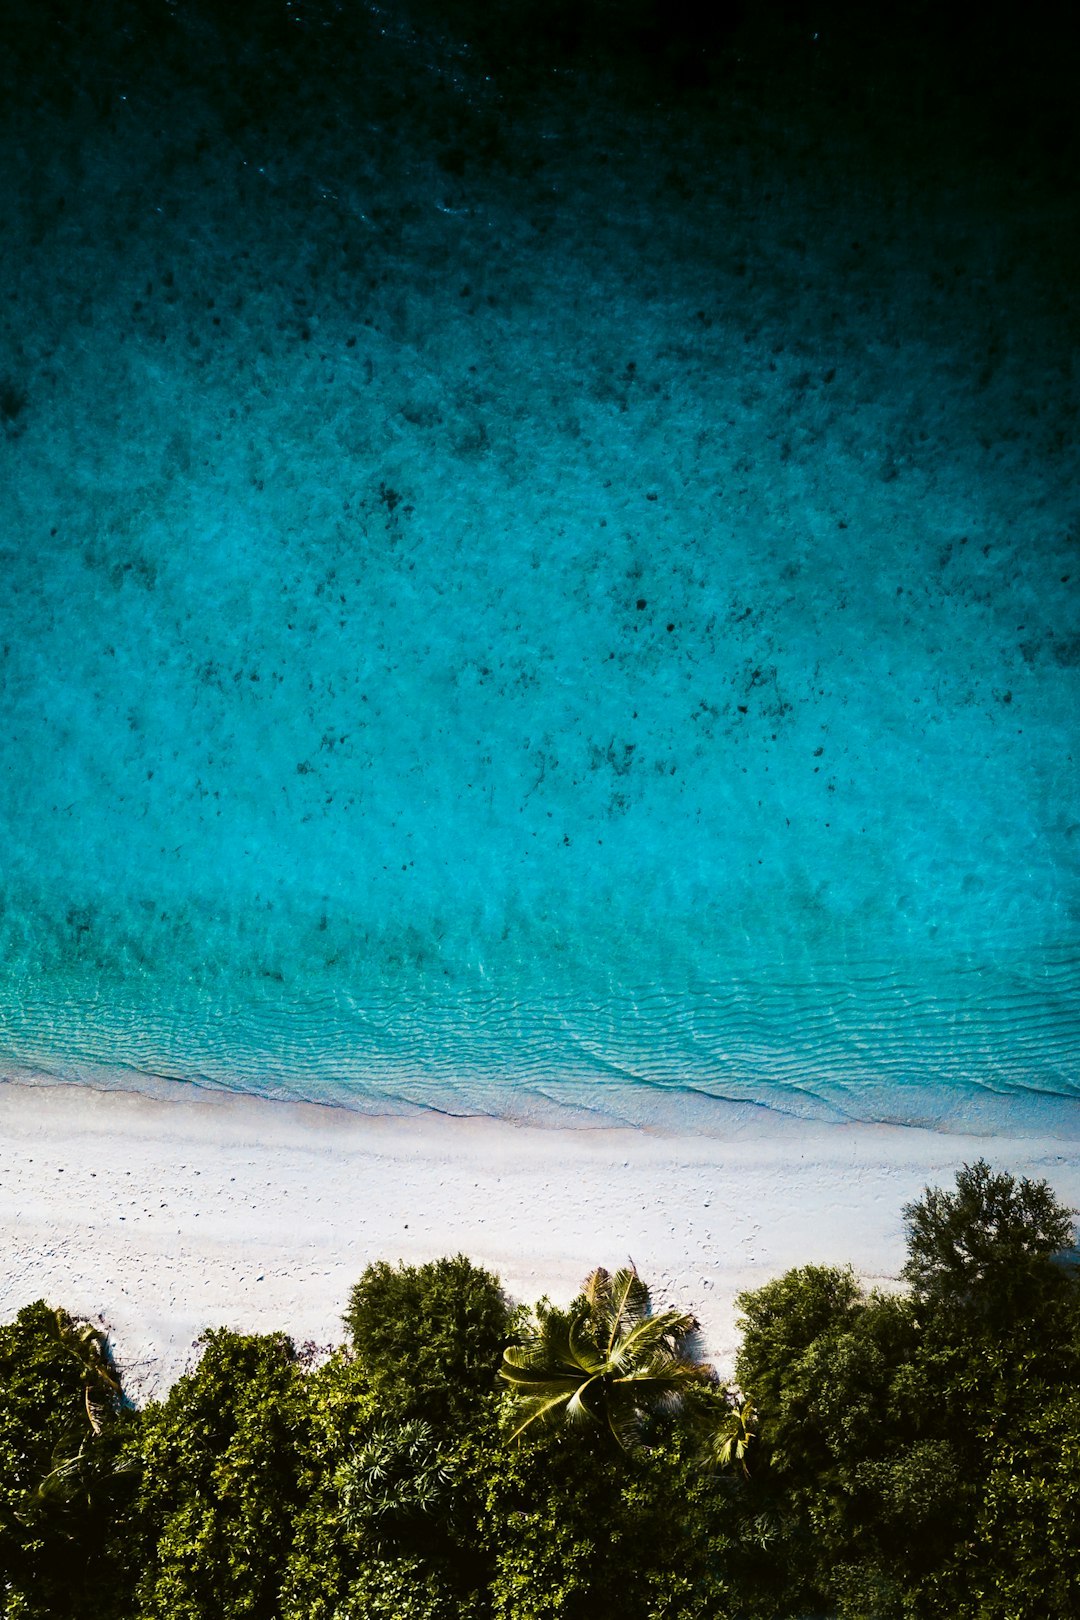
[872,1046]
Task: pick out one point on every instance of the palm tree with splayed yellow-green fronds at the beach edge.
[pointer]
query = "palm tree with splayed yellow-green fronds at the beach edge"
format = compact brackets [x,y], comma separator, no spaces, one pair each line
[608,1363]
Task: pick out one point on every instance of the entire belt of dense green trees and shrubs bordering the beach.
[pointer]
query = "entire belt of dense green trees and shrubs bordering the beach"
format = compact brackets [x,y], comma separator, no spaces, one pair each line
[887,1457]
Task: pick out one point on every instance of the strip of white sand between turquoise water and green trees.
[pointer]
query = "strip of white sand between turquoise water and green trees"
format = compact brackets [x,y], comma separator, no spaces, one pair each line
[163,1217]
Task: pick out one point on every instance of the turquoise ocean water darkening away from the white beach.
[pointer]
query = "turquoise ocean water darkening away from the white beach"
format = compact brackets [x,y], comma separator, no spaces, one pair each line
[559,634]
